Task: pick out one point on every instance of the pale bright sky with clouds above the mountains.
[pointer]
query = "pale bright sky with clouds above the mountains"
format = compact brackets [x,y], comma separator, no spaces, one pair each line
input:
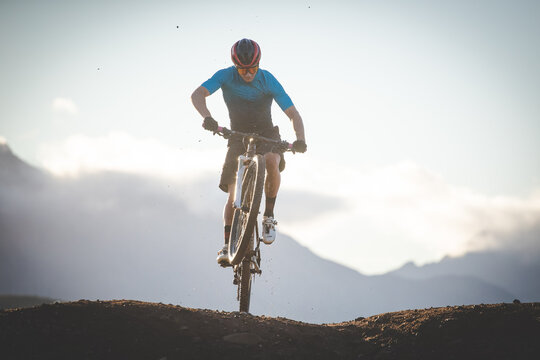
[422,117]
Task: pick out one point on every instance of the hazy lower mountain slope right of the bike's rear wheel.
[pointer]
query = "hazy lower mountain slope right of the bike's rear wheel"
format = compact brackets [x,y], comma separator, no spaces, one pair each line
[314,289]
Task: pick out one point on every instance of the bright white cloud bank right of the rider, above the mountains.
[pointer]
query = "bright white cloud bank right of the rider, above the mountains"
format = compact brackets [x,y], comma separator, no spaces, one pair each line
[404,212]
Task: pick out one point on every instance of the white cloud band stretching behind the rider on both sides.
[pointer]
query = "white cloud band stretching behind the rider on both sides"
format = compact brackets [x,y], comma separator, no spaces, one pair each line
[372,220]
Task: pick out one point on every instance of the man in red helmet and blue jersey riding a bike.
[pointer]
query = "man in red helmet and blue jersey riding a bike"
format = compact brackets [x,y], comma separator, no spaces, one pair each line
[248,93]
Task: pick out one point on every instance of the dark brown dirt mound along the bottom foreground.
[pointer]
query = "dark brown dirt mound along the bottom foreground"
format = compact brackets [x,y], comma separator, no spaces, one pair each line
[137,330]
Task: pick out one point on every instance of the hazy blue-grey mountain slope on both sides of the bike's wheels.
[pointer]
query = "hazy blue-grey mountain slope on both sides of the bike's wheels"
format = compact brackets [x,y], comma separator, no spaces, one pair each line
[122,236]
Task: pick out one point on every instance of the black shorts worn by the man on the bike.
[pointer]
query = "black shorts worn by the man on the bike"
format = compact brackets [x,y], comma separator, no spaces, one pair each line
[236,147]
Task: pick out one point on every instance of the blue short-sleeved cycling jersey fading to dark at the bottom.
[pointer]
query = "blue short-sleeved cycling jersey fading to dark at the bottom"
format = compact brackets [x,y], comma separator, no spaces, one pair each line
[249,104]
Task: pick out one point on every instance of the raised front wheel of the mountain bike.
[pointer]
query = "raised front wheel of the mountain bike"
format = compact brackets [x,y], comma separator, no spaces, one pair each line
[244,219]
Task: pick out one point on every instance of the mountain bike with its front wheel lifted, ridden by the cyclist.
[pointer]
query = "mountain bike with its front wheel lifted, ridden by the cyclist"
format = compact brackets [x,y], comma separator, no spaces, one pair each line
[245,240]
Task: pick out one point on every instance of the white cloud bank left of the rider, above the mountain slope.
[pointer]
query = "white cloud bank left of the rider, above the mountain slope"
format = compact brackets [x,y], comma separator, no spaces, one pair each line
[120,151]
